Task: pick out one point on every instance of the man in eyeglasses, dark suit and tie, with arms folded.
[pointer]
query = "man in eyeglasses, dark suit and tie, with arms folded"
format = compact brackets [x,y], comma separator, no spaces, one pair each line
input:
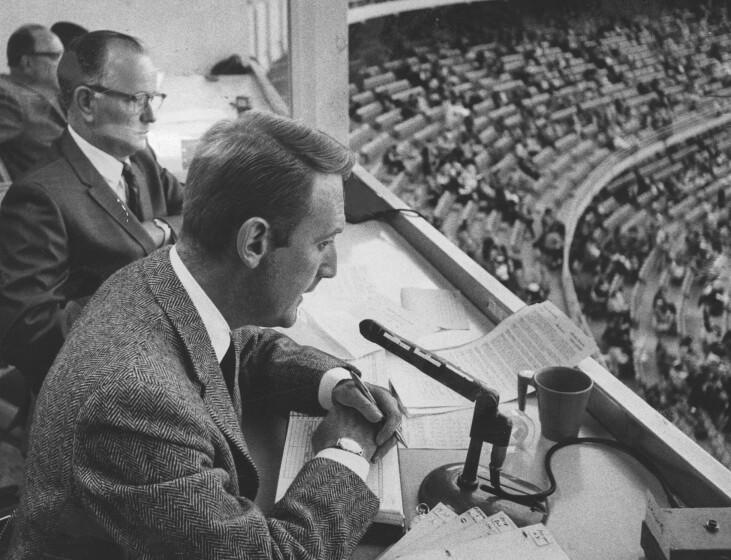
[101,201]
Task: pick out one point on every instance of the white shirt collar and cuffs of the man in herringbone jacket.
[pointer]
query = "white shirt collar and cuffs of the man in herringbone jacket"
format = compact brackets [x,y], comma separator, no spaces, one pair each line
[220,335]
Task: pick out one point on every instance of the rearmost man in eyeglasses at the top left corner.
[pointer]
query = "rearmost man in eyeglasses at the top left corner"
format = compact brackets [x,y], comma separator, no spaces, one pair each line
[31,117]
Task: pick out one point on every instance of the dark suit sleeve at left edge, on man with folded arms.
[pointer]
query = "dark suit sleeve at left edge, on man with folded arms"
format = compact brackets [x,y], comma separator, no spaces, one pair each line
[34,266]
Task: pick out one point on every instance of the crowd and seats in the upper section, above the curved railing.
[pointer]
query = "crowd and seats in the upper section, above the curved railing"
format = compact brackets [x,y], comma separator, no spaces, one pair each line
[494,148]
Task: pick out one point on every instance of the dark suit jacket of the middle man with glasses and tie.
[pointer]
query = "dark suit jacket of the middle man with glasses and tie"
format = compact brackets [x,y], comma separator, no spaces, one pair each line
[62,233]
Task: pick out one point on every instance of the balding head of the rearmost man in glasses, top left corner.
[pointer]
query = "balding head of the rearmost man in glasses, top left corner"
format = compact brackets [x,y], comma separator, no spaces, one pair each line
[33,53]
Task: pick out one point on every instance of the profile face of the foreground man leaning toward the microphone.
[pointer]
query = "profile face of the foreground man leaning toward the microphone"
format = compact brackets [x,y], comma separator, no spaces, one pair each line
[288,272]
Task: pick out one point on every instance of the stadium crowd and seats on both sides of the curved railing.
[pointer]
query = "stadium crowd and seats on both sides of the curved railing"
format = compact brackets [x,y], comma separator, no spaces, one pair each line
[607,83]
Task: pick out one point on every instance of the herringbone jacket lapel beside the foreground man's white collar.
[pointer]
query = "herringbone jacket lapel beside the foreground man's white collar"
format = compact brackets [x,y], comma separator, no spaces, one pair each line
[176,303]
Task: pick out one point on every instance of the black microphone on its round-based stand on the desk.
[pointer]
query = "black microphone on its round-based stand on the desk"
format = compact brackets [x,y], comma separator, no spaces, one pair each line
[465,485]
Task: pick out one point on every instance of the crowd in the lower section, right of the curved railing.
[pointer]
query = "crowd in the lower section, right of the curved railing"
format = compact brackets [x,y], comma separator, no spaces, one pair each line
[691,257]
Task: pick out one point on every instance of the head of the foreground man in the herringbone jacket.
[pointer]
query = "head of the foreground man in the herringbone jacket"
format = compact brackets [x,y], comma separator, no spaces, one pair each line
[263,205]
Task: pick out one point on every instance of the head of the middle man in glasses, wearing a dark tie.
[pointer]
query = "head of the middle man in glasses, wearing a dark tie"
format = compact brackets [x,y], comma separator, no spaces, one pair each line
[109,86]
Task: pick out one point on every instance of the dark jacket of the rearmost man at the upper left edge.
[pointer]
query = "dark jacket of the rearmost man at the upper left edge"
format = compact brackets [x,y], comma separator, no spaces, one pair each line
[29,124]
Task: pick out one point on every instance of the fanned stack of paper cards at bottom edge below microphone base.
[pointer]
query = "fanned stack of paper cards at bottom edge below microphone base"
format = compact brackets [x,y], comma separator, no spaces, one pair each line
[442,534]
